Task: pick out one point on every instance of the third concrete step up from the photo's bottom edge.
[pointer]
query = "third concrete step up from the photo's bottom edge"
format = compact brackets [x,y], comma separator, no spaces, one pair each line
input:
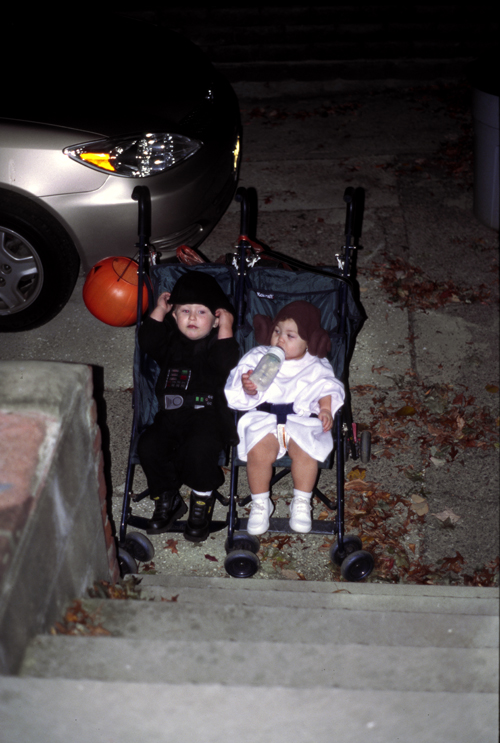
[252,623]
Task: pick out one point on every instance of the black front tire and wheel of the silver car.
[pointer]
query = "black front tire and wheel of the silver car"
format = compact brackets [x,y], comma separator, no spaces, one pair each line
[39,264]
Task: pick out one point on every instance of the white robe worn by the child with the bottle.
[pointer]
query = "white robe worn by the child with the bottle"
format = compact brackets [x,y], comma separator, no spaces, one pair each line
[304,382]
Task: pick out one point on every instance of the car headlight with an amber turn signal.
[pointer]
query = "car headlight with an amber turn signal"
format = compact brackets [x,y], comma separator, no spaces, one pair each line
[135,156]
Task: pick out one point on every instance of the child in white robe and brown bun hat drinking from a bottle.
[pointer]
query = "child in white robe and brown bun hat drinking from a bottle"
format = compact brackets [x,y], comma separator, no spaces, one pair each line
[294,415]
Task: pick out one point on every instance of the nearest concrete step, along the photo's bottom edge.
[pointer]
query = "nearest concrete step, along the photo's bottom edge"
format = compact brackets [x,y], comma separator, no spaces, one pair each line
[58,711]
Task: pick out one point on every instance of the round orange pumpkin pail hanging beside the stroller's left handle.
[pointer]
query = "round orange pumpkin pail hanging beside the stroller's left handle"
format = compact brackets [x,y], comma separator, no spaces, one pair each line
[110,291]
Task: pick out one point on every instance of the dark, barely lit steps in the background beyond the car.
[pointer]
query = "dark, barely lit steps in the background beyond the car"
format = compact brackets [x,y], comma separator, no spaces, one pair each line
[352,41]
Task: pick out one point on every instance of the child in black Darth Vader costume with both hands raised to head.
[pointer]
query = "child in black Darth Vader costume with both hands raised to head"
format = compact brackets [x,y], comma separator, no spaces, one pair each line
[190,335]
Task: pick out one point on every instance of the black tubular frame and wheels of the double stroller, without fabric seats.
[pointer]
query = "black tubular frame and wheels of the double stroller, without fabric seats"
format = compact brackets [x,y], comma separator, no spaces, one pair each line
[241,548]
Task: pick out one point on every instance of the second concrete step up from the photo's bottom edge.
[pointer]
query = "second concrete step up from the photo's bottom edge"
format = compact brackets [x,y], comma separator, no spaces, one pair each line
[243,663]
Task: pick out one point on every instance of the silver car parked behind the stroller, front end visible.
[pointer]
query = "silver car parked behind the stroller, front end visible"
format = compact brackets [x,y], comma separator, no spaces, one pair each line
[85,125]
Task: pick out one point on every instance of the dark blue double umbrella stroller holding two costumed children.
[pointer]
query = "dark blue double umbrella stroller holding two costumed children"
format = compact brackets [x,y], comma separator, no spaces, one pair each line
[257,279]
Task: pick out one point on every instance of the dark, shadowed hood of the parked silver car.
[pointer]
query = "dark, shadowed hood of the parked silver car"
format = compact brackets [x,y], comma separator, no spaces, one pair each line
[134,75]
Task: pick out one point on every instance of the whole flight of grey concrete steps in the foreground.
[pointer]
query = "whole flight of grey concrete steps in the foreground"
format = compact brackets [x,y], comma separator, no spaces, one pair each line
[263,660]
